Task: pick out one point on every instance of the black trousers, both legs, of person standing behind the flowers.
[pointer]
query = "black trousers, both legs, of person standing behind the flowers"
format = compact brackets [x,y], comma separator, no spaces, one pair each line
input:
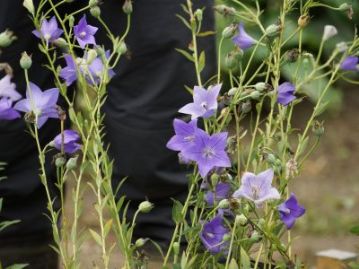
[144,97]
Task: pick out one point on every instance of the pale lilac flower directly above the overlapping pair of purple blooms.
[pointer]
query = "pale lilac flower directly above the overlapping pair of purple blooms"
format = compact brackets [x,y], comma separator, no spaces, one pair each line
[204,102]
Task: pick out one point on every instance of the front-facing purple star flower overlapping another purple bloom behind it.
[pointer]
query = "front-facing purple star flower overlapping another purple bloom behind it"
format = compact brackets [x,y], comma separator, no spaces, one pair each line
[208,151]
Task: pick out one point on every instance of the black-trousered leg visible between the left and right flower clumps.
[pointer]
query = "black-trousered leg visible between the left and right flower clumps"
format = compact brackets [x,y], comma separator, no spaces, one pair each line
[143,100]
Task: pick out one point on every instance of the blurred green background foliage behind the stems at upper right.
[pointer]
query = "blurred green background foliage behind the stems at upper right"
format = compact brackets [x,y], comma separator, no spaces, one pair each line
[320,16]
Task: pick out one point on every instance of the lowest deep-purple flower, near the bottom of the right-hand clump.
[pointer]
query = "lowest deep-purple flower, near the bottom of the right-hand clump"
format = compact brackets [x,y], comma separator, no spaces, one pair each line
[212,235]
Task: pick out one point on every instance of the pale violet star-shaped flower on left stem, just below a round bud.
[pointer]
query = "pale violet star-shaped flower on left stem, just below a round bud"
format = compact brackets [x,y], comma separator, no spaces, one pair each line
[42,104]
